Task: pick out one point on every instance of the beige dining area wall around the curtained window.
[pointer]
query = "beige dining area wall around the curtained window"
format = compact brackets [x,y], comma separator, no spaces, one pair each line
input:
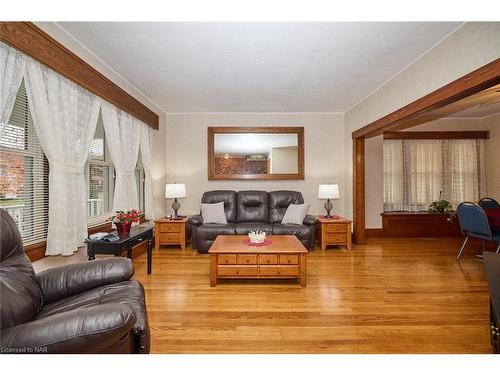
[374,161]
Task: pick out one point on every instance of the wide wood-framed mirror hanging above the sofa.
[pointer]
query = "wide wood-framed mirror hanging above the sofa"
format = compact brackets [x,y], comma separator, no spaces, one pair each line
[255,153]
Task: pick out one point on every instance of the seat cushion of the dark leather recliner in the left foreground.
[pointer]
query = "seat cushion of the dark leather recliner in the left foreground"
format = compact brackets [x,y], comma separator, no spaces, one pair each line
[130,293]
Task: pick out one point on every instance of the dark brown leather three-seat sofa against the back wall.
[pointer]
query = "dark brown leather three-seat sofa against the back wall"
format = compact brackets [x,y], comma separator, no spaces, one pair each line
[251,210]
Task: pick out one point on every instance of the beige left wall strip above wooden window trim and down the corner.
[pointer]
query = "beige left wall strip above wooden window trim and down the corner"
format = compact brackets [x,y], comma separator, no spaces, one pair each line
[159,141]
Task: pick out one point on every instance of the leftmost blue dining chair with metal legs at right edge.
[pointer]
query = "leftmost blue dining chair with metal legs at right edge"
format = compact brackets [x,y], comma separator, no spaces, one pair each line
[474,223]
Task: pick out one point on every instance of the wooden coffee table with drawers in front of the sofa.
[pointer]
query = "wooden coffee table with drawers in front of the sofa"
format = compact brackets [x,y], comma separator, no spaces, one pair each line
[283,258]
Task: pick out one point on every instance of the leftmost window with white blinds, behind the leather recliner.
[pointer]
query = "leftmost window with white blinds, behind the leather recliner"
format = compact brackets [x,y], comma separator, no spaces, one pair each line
[24,173]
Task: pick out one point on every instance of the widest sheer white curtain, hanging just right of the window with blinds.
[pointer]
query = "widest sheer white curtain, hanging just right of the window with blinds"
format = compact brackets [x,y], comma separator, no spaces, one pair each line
[65,117]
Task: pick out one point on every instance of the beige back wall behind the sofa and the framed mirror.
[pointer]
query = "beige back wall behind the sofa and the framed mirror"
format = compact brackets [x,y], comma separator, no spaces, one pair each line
[324,155]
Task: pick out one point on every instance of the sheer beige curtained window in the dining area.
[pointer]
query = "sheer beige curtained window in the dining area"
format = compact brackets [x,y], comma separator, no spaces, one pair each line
[418,172]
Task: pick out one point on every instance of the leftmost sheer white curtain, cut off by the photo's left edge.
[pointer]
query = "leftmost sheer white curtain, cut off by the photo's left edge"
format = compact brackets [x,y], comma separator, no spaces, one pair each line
[12,65]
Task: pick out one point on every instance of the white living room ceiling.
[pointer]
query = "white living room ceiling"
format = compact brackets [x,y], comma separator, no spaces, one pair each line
[257,67]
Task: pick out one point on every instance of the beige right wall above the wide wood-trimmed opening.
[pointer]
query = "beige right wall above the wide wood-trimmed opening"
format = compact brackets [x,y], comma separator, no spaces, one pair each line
[468,48]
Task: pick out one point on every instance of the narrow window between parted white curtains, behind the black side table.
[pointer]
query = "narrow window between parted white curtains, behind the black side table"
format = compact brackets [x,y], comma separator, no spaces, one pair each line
[99,178]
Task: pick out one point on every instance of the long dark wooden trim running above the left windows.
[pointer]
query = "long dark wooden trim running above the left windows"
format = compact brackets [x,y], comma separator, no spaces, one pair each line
[34,42]
